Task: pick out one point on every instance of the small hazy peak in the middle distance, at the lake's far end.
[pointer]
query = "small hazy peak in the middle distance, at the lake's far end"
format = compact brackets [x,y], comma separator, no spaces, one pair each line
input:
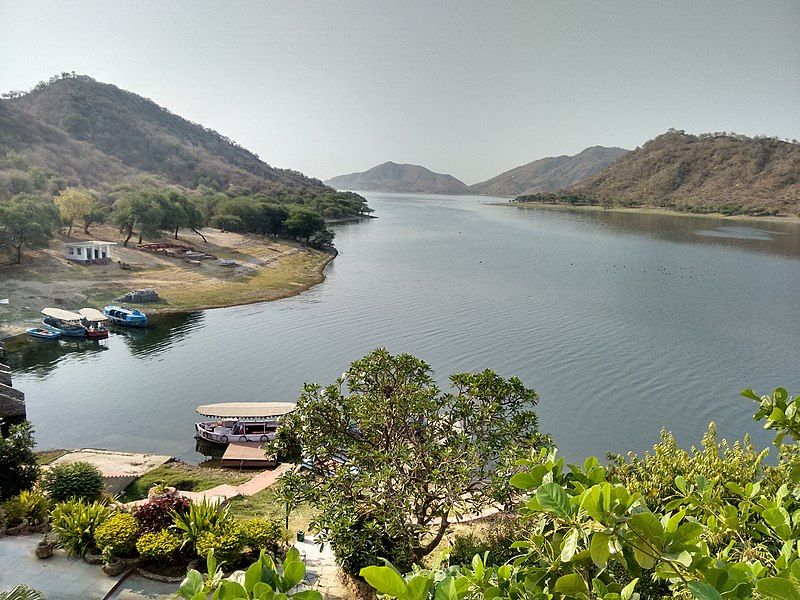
[393,177]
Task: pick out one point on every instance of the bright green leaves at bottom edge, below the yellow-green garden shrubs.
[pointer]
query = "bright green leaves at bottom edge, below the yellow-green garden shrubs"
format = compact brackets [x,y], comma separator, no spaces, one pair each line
[263,580]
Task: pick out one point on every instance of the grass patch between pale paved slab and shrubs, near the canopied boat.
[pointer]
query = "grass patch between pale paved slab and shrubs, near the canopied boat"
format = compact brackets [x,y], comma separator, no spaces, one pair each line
[185,477]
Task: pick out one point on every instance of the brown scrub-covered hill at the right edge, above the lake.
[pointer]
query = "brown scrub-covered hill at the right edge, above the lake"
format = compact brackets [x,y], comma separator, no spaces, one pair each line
[728,173]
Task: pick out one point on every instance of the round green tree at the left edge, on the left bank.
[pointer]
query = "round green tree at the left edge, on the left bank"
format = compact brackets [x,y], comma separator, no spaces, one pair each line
[27,221]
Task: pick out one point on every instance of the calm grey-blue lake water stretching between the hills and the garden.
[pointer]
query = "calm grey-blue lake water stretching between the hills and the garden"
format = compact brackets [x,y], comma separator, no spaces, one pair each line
[623,323]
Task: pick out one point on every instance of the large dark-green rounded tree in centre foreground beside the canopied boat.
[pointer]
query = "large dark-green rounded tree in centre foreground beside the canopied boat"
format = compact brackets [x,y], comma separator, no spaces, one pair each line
[396,459]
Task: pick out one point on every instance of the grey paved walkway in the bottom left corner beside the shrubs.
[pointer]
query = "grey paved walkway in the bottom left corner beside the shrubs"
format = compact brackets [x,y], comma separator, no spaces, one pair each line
[63,578]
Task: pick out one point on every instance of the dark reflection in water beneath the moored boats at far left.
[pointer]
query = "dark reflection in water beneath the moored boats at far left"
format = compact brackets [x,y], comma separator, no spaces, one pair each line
[40,357]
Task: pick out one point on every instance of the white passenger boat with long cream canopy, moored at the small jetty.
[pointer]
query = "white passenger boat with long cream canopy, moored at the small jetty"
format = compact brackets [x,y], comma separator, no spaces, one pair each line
[241,421]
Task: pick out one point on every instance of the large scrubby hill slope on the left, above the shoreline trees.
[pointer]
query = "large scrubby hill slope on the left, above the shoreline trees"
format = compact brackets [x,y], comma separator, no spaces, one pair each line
[98,135]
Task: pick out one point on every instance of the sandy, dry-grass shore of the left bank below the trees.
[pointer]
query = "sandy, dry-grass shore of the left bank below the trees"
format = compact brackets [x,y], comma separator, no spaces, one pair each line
[267,270]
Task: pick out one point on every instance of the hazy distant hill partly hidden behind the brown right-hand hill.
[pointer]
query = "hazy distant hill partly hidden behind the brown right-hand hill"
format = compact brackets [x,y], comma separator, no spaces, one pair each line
[549,174]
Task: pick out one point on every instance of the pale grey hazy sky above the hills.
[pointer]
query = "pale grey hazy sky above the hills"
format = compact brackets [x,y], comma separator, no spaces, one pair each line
[467,88]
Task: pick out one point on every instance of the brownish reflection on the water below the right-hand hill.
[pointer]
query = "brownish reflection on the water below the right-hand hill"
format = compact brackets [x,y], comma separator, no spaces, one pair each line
[769,237]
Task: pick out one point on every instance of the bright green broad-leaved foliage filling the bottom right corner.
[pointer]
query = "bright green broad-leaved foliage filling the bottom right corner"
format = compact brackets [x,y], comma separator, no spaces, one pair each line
[591,537]
